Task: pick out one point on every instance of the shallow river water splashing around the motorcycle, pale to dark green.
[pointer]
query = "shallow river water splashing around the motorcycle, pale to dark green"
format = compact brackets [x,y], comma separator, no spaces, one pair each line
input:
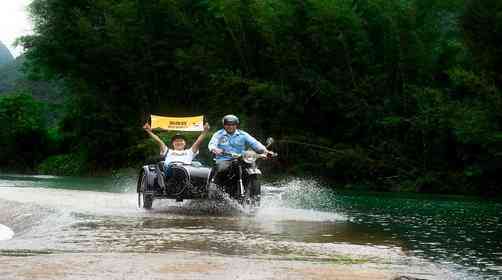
[300,224]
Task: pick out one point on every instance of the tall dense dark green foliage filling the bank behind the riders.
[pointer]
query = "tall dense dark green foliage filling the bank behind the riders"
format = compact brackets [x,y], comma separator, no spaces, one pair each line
[397,94]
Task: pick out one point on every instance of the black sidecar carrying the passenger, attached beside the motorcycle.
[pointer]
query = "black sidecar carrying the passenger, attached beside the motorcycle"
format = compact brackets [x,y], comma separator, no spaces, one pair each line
[182,182]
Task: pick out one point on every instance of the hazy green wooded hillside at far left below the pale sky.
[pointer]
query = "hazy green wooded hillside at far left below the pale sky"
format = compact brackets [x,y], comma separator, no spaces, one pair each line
[30,111]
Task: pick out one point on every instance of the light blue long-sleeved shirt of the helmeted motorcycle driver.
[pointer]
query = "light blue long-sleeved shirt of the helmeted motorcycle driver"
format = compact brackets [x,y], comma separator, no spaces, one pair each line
[233,143]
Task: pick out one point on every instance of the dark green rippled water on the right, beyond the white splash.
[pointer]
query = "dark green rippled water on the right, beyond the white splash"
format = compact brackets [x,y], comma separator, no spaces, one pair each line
[462,233]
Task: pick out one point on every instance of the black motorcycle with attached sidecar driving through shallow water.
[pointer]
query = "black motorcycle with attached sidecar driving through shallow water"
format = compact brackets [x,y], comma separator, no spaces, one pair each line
[240,181]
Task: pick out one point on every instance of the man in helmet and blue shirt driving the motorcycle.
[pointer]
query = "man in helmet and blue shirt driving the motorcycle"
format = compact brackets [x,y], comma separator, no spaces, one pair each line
[231,140]
